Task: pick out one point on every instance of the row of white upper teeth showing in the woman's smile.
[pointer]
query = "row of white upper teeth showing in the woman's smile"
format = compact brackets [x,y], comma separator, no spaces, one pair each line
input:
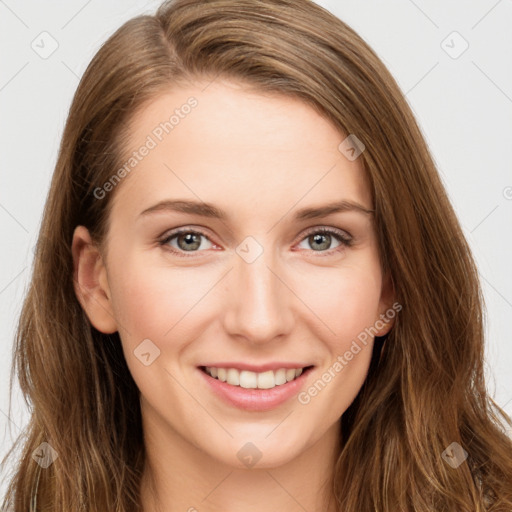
[253,380]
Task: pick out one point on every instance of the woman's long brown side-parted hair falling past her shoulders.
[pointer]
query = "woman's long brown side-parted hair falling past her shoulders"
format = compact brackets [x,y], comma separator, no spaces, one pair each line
[427,391]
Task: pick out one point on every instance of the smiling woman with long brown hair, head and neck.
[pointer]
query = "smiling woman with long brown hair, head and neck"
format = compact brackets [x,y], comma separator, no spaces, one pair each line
[185,342]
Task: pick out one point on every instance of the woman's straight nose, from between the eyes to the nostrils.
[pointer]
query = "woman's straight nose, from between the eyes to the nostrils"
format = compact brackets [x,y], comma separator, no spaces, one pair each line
[259,300]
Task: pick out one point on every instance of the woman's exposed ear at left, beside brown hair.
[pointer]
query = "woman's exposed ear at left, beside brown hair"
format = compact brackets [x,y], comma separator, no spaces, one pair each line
[90,282]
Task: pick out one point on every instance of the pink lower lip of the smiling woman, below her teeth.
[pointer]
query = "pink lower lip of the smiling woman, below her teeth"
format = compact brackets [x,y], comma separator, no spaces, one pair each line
[255,399]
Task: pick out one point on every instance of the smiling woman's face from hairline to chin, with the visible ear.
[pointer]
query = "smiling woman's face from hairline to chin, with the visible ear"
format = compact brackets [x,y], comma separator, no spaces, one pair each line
[218,260]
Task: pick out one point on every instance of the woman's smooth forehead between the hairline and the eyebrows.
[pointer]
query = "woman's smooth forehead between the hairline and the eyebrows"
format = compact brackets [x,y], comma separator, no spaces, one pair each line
[226,144]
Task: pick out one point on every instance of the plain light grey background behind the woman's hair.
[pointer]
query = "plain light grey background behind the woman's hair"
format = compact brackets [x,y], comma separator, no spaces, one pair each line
[463,104]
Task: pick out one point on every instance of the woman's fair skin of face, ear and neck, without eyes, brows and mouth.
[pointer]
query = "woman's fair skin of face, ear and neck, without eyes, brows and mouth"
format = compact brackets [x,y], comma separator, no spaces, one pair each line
[260,158]
